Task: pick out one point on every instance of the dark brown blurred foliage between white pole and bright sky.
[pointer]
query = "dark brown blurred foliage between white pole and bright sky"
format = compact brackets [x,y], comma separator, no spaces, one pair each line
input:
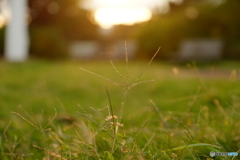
[54,24]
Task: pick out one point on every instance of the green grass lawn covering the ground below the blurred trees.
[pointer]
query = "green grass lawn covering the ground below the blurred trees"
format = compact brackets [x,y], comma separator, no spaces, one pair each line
[55,110]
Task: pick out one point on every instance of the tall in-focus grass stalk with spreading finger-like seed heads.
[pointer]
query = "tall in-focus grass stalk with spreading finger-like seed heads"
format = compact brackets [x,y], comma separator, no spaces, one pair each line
[126,86]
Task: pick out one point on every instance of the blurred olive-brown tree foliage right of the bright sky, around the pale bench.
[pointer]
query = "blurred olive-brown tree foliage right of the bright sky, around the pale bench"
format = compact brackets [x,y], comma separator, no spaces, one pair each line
[192,19]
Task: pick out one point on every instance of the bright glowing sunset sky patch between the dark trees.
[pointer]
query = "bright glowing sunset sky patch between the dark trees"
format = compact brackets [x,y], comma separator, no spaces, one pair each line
[111,12]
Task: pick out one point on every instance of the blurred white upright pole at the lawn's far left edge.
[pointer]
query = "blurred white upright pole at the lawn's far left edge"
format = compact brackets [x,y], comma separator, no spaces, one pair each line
[16,42]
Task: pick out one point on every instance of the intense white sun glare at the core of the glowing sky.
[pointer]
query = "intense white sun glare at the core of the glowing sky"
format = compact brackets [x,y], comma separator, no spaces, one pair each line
[108,17]
